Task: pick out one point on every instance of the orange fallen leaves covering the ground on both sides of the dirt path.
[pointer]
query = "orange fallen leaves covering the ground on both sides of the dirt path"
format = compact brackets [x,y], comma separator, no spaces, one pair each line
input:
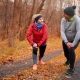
[52,70]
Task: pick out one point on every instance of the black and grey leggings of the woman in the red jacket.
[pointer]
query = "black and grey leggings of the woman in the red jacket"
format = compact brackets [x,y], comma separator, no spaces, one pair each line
[41,53]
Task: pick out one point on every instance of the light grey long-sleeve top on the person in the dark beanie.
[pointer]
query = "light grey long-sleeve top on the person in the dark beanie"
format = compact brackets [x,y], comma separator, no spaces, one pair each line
[70,31]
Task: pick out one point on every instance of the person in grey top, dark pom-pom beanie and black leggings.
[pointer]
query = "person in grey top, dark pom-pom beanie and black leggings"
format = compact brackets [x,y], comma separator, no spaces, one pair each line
[70,32]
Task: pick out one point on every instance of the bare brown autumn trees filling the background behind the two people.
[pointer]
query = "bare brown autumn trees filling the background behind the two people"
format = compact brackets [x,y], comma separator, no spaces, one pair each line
[16,15]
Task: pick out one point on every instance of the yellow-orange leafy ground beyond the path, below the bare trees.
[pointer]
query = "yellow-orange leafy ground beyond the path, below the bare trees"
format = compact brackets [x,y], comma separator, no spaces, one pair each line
[22,50]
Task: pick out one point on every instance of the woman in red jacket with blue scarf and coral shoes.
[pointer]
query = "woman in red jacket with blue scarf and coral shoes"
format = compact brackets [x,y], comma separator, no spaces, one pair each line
[37,35]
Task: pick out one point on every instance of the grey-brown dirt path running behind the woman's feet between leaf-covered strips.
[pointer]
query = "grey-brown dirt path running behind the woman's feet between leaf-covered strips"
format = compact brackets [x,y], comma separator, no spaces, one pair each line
[13,68]
